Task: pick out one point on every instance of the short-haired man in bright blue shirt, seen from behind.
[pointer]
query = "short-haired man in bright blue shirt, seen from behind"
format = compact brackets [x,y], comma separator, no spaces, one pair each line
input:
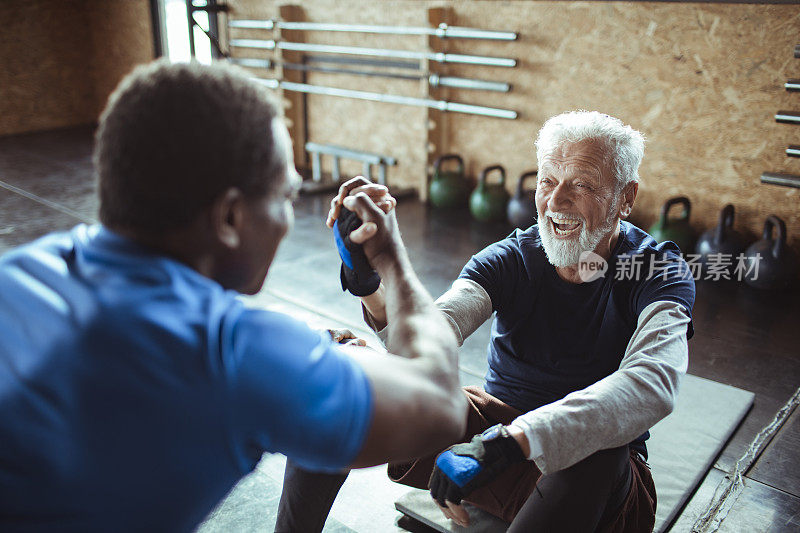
[135,388]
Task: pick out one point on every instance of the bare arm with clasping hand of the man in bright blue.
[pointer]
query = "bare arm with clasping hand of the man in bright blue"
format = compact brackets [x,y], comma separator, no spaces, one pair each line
[417,406]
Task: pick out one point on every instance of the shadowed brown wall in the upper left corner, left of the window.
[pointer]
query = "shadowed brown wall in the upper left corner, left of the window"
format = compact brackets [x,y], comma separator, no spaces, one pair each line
[62,58]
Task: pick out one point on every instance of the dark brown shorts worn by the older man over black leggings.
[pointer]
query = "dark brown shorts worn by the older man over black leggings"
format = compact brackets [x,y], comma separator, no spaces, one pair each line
[507,494]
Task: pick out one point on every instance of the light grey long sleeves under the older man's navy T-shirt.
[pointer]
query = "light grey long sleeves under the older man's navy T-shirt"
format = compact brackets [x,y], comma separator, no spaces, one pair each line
[608,413]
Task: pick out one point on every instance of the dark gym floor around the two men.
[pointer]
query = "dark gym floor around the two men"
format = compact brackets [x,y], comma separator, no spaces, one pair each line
[743,338]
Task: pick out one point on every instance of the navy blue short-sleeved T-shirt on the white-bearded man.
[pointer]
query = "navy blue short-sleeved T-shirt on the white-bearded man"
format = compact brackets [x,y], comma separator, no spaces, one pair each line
[551,337]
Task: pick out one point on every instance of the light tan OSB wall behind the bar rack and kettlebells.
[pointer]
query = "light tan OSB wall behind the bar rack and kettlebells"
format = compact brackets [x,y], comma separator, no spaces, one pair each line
[702,81]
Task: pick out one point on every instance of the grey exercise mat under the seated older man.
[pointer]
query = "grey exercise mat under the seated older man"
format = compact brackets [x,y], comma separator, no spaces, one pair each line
[682,448]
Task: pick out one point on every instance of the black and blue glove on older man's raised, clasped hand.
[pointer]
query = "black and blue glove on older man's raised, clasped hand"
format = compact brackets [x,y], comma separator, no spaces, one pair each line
[356,274]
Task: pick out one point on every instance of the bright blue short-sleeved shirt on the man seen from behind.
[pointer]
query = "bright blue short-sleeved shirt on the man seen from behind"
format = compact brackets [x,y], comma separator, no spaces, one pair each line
[135,392]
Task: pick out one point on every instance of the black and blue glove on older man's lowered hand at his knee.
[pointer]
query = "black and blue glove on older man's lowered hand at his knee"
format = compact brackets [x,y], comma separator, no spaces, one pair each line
[463,468]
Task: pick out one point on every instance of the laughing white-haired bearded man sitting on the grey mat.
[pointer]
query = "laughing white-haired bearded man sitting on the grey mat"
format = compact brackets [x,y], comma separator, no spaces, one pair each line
[580,366]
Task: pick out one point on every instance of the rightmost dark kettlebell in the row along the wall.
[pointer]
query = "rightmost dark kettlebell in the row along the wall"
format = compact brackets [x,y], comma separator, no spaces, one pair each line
[777,266]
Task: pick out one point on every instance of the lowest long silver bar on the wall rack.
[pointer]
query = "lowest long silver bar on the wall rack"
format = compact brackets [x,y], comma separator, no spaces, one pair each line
[441,105]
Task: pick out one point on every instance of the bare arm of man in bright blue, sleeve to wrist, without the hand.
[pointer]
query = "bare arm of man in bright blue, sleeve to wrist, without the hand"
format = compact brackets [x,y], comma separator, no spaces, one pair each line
[418,404]
